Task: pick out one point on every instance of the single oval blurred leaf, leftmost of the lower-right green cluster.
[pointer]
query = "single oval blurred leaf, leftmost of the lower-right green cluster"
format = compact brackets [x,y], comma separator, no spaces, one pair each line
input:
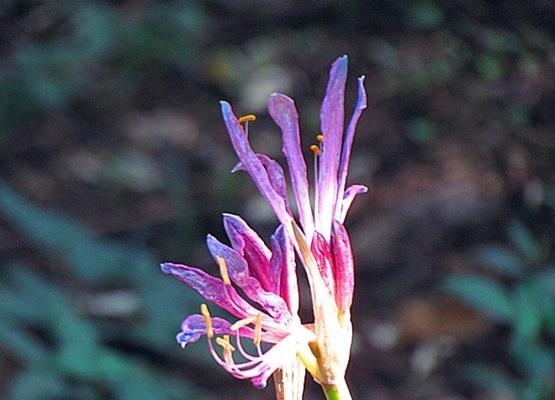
[481,293]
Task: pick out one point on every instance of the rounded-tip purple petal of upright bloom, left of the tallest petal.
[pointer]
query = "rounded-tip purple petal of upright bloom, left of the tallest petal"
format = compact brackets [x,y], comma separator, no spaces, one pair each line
[283,112]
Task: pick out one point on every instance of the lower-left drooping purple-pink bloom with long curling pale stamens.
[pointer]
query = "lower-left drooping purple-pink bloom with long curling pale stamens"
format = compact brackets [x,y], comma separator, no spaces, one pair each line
[267,311]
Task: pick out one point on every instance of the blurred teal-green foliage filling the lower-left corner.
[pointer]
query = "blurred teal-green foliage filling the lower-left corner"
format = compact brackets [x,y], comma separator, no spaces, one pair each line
[71,357]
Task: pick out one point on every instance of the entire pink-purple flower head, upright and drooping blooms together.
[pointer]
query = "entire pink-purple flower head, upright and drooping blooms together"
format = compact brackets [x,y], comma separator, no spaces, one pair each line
[267,277]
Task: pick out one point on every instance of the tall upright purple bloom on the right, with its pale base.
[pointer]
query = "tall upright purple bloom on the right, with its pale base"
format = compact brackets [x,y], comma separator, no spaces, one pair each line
[320,239]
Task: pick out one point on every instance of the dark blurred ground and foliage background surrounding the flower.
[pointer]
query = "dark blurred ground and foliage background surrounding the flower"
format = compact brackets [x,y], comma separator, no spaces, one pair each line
[113,158]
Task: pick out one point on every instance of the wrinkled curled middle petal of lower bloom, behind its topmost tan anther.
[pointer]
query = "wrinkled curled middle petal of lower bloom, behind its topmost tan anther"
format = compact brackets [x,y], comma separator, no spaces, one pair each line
[239,274]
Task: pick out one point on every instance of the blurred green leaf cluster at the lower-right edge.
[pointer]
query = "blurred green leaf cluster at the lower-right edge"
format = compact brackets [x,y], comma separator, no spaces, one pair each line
[525,302]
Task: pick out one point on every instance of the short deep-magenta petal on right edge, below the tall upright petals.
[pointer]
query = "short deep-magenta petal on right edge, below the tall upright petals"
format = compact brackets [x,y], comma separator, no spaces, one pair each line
[343,267]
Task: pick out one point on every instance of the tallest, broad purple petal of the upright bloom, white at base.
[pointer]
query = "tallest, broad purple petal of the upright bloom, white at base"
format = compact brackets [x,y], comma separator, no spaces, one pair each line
[332,119]
